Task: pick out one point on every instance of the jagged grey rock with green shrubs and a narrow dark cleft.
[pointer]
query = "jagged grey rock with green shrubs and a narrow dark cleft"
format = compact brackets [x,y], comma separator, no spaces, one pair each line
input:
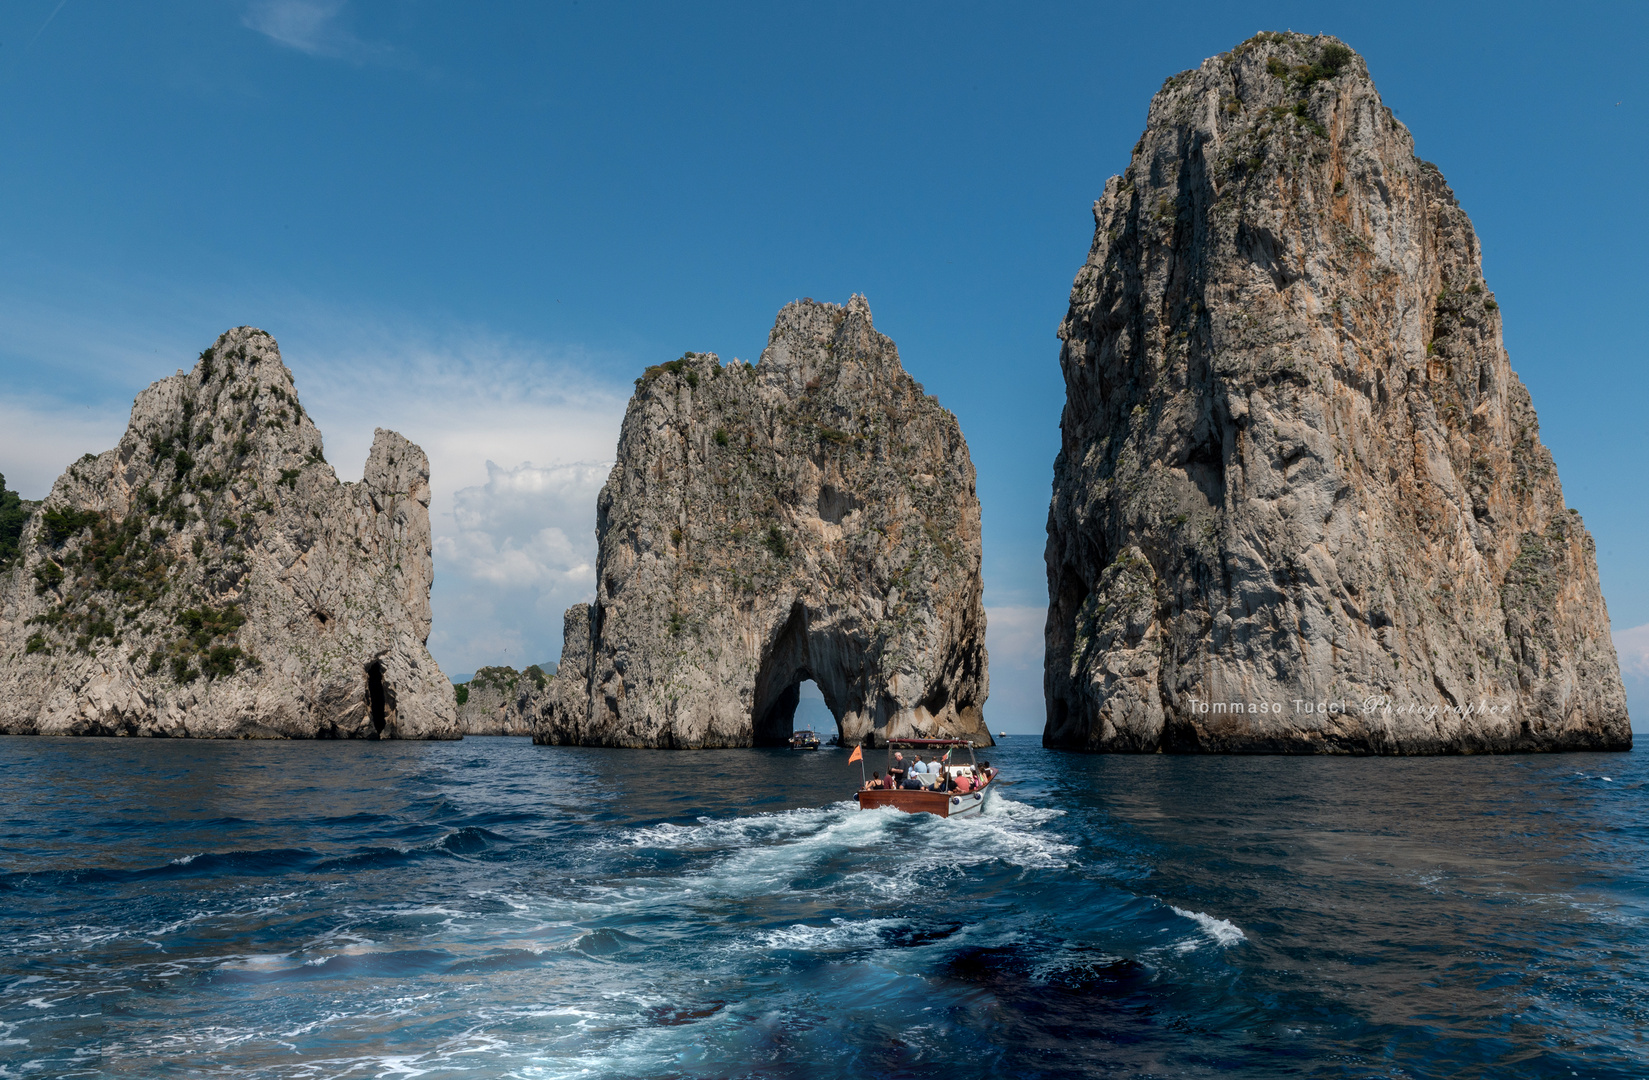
[212,578]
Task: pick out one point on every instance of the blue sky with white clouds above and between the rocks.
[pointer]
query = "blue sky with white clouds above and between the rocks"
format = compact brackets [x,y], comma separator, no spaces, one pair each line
[477,223]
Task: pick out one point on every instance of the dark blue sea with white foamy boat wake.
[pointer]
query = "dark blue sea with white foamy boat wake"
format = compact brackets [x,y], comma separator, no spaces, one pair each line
[497,909]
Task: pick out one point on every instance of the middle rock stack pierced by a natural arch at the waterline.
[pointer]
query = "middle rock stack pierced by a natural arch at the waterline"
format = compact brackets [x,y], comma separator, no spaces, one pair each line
[809,517]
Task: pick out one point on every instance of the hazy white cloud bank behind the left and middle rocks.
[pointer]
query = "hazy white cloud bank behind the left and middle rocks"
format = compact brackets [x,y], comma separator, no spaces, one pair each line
[517,433]
